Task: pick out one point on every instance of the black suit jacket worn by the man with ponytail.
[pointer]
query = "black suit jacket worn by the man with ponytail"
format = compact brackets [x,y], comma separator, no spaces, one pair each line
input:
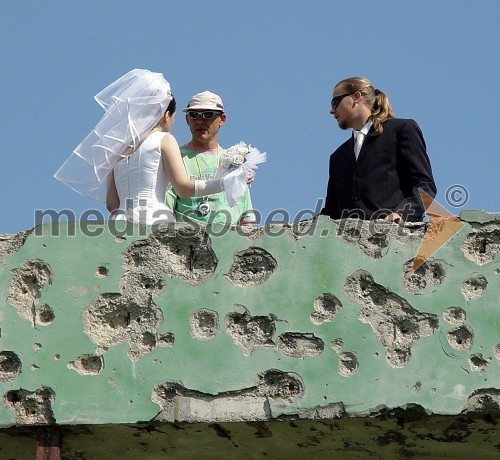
[386,177]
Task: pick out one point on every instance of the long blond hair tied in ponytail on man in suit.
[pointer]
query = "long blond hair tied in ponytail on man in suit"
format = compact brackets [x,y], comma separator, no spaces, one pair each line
[376,100]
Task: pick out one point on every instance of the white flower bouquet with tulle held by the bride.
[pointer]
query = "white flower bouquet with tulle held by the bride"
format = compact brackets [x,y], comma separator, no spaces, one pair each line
[242,156]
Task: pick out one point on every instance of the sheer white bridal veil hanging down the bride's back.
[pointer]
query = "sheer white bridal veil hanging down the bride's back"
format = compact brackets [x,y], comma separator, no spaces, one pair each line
[133,106]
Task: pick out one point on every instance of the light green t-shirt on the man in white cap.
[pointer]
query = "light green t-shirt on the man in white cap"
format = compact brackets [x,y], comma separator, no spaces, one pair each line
[203,165]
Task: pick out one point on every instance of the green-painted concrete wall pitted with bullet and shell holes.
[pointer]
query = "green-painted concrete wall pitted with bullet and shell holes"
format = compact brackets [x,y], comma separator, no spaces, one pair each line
[323,319]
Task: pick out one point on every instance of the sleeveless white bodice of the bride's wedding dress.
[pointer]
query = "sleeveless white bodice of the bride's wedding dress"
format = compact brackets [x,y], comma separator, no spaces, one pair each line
[141,183]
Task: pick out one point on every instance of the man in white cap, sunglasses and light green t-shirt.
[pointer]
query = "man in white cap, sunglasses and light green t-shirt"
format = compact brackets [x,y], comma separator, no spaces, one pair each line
[204,116]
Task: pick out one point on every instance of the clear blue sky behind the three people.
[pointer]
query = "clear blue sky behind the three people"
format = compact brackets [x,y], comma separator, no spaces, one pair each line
[274,63]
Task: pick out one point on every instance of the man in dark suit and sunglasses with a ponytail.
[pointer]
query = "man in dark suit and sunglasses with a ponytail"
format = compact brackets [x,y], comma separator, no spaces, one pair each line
[377,173]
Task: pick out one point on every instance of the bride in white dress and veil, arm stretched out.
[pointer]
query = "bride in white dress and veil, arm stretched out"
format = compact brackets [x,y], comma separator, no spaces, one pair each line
[130,159]
